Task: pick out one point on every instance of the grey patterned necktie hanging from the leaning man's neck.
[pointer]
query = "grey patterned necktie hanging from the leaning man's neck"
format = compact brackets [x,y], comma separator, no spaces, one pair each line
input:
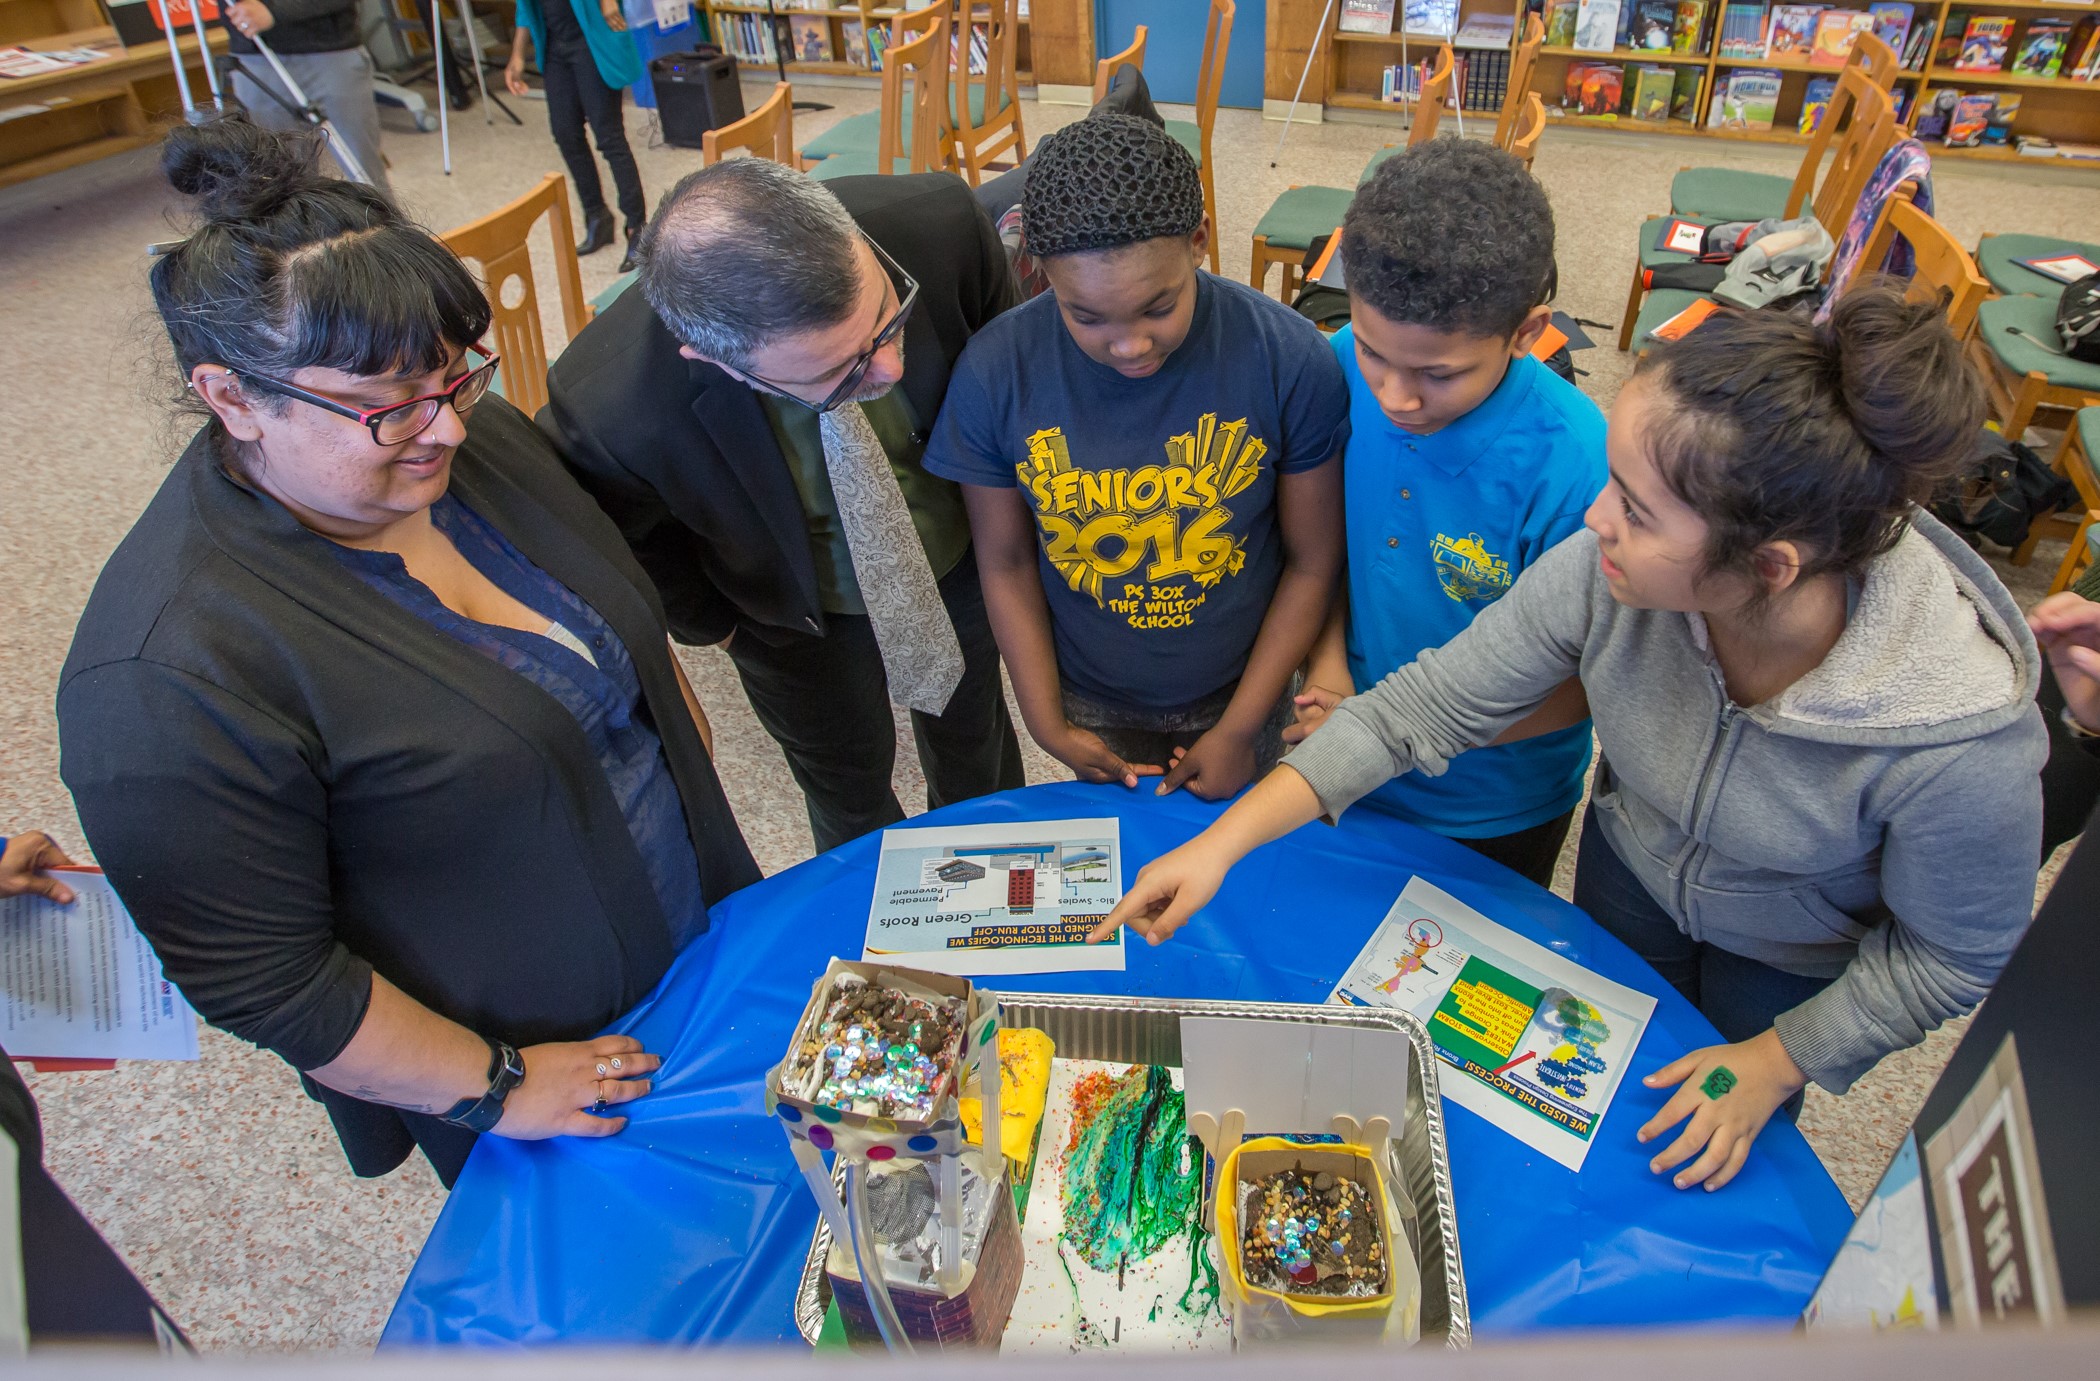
[904,601]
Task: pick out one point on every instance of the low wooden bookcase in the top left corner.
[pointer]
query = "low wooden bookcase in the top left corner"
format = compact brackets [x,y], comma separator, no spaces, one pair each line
[93,110]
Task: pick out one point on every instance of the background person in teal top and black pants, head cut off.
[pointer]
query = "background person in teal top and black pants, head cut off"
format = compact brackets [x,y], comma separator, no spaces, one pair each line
[587,62]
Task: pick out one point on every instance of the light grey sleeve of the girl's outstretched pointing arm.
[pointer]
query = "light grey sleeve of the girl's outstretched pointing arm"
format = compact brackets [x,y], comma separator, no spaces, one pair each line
[1463,694]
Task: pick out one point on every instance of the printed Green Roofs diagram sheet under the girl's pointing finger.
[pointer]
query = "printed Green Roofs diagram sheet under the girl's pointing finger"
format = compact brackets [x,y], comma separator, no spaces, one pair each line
[999,899]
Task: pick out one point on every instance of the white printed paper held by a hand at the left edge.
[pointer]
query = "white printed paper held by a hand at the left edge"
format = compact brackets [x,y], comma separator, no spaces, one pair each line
[81,983]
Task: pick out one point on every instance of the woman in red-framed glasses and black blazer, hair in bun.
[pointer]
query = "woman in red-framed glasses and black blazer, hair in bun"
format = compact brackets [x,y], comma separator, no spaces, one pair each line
[373,721]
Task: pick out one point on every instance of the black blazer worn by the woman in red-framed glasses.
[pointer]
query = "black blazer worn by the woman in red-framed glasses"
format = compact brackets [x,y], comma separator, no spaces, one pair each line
[295,784]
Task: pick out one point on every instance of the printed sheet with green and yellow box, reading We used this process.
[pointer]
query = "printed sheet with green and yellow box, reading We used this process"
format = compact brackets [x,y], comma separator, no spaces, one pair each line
[1538,1046]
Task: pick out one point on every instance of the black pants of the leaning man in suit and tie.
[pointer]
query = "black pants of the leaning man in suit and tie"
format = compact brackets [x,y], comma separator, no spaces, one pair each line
[826,702]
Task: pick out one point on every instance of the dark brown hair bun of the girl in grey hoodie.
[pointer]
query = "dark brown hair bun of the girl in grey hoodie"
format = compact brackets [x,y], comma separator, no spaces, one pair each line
[1906,385]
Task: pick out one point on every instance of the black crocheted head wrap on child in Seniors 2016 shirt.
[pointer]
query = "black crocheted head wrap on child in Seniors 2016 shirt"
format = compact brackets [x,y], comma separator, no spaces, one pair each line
[1108,182]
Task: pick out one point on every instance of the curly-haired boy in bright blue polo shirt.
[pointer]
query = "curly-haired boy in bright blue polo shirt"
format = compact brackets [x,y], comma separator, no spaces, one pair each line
[1467,463]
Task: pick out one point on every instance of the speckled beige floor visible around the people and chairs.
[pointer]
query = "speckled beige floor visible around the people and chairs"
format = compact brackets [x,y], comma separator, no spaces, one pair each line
[217,1181]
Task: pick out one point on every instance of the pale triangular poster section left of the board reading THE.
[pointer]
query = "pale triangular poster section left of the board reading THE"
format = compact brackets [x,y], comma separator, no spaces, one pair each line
[1883,1275]
